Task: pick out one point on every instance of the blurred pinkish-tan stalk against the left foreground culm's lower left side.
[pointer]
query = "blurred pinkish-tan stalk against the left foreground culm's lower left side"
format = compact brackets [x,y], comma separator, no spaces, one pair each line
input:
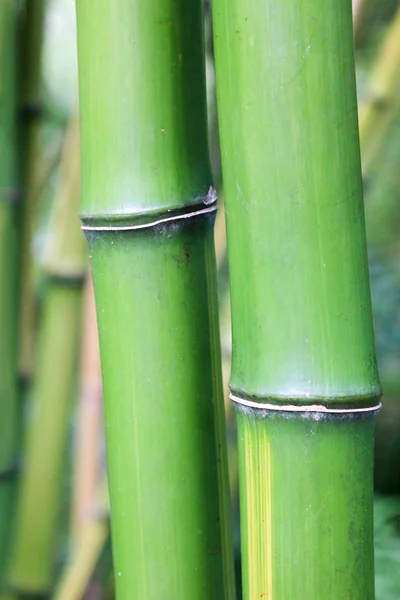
[88,420]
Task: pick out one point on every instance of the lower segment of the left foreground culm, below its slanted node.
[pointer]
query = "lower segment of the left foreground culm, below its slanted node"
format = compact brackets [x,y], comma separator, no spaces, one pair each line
[162,391]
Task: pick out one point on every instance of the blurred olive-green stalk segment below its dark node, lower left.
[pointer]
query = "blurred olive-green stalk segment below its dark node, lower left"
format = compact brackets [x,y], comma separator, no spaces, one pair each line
[32,558]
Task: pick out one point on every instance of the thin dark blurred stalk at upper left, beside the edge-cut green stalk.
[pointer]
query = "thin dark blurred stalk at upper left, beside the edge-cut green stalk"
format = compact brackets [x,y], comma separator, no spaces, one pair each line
[31,37]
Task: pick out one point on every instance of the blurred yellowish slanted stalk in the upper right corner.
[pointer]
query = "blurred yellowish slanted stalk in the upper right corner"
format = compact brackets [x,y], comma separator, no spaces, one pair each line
[382,100]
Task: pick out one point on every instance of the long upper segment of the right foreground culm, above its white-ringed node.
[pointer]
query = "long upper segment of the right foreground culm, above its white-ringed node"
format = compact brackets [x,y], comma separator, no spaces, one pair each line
[295,221]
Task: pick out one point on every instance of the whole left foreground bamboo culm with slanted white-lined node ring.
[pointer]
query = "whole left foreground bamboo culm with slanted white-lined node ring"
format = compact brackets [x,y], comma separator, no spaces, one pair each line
[148,210]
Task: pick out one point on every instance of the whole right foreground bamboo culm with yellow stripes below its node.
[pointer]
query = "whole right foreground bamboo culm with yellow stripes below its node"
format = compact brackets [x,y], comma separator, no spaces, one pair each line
[303,344]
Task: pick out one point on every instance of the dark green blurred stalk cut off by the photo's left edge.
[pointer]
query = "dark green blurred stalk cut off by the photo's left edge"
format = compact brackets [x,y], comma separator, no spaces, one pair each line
[8,270]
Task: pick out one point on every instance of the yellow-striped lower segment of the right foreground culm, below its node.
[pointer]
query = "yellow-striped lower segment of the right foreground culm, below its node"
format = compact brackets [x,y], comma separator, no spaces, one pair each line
[307,487]
